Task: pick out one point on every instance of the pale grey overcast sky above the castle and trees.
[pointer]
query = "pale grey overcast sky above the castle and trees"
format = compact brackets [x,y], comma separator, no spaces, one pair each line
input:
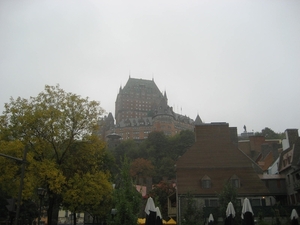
[228,61]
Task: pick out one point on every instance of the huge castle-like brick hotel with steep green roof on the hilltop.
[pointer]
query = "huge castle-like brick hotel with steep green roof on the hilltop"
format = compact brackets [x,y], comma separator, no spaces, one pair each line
[142,108]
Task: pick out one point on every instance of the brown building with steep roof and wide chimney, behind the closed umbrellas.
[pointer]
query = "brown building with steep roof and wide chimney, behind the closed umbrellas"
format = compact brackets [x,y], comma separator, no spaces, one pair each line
[214,160]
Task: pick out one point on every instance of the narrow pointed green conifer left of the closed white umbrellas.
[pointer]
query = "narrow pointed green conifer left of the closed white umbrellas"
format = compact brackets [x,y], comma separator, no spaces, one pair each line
[127,199]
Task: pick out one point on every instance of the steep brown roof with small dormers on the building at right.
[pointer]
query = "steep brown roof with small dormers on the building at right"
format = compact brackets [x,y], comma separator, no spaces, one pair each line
[215,155]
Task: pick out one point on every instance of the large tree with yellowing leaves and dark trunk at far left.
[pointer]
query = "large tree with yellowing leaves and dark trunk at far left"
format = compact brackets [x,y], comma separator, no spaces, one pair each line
[58,129]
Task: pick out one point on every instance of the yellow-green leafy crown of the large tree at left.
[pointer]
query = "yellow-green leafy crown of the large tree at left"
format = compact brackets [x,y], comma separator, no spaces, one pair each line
[64,156]
